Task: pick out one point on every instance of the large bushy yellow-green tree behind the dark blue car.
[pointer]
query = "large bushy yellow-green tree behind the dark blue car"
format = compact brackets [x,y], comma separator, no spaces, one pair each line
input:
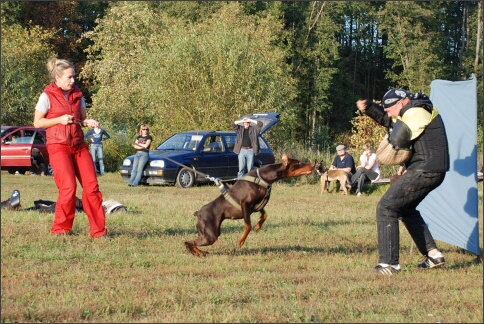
[177,75]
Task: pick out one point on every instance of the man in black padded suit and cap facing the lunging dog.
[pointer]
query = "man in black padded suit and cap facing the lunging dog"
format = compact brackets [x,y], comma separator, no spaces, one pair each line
[415,124]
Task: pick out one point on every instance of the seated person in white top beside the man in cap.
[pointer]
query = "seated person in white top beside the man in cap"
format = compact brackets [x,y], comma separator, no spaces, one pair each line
[367,170]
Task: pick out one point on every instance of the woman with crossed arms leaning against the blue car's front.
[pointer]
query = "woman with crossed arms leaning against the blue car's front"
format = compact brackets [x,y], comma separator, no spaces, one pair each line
[142,145]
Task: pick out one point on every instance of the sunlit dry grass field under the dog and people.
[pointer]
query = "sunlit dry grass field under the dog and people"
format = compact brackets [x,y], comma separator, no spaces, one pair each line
[310,262]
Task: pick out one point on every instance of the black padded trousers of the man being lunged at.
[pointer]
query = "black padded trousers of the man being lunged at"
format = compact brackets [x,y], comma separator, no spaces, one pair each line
[400,203]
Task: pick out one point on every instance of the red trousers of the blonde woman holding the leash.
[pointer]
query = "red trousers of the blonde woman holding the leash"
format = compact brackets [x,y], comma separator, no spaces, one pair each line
[68,163]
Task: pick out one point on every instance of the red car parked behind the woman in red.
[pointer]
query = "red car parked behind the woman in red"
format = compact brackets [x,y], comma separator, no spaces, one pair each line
[17,145]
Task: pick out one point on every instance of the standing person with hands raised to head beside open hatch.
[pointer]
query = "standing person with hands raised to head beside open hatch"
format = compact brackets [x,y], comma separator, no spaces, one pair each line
[247,143]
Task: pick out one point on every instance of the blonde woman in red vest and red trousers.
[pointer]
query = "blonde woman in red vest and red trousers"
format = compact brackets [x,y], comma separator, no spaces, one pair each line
[61,111]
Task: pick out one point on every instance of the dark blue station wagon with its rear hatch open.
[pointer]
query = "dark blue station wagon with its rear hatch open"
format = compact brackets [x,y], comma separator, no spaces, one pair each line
[204,154]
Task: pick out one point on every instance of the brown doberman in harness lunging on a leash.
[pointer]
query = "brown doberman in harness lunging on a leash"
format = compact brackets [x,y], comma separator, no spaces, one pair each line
[248,195]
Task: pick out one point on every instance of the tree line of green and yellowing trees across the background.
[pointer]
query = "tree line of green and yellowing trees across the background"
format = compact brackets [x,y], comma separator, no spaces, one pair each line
[199,65]
